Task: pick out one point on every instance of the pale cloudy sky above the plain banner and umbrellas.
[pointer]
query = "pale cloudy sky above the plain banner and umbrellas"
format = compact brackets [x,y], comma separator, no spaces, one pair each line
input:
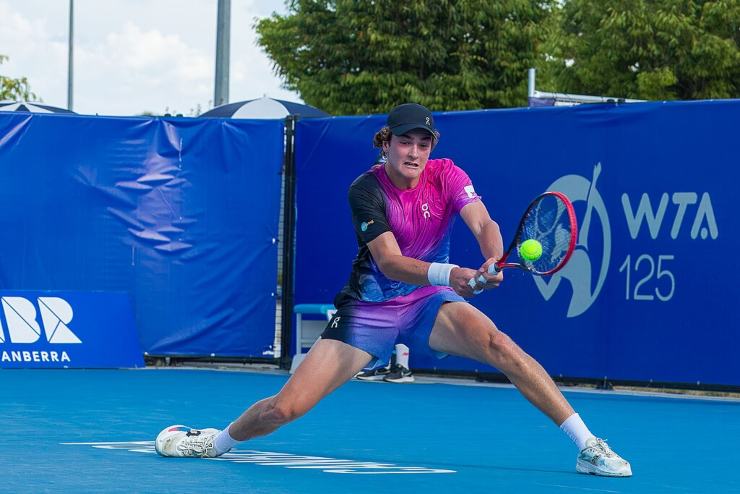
[136,56]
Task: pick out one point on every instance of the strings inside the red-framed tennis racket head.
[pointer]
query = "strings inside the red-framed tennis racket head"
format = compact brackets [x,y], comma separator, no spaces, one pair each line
[549,224]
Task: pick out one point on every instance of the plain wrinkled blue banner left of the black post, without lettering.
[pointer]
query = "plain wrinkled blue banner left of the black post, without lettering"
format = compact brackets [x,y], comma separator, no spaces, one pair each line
[181,214]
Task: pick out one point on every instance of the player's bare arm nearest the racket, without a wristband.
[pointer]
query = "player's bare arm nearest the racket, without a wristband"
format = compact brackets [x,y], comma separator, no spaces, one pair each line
[487,233]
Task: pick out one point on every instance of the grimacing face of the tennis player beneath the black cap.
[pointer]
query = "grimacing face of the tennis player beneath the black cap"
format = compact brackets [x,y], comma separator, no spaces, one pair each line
[407,156]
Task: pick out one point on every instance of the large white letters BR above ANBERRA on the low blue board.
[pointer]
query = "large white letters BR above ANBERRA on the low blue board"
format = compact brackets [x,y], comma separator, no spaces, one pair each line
[23,326]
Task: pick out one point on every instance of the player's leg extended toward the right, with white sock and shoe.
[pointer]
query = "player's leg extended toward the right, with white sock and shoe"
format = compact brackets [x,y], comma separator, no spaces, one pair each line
[461,329]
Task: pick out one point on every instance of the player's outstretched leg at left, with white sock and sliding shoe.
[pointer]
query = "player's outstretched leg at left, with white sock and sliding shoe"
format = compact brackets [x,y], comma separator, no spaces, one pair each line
[328,365]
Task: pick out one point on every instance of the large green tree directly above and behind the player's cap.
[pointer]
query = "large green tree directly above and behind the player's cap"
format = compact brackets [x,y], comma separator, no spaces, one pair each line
[348,57]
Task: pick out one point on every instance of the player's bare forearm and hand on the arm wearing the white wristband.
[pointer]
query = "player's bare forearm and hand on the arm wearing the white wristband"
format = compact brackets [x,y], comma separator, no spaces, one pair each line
[394,265]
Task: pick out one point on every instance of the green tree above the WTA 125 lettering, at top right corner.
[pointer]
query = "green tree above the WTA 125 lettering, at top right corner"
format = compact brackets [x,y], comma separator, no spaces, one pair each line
[646,49]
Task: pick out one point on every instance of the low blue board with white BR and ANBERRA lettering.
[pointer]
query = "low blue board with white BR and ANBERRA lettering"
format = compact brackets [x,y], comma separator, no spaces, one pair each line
[67,330]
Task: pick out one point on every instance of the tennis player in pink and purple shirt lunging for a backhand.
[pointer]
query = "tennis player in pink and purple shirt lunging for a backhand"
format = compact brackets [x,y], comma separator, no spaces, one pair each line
[403,288]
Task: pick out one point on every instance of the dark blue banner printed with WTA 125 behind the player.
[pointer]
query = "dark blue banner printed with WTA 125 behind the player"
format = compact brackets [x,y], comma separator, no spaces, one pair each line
[649,293]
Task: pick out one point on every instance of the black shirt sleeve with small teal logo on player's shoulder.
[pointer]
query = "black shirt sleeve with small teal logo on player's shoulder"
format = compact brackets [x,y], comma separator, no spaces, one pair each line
[367,201]
